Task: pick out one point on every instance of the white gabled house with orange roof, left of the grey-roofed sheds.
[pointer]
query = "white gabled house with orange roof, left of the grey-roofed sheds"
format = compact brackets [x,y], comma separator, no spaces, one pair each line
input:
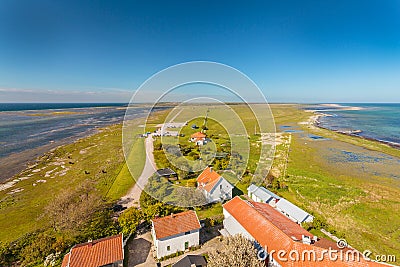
[215,187]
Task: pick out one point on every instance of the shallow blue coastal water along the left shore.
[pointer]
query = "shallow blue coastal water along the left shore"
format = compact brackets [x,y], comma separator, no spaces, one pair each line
[29,130]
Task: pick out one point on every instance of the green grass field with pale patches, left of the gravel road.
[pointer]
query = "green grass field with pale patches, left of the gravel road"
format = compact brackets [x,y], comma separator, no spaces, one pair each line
[98,158]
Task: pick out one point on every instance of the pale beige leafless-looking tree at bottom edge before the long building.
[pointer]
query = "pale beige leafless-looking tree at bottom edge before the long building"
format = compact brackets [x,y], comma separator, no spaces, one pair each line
[235,251]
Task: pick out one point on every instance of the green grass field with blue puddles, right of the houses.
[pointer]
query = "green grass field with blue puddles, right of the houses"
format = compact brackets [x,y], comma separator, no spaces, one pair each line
[357,199]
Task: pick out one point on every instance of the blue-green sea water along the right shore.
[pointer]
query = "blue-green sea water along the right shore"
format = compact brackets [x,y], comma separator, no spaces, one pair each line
[375,121]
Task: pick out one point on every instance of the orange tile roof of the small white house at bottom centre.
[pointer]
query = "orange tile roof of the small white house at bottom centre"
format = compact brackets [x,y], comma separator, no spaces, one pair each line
[175,224]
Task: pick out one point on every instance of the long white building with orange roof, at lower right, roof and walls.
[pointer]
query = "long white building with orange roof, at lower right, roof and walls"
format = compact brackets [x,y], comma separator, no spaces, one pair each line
[273,233]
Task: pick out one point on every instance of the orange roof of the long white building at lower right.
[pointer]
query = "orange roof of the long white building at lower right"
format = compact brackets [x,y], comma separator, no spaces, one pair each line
[274,231]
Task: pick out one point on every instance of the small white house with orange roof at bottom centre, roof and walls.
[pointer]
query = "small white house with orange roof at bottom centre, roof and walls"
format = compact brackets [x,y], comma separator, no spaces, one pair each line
[175,232]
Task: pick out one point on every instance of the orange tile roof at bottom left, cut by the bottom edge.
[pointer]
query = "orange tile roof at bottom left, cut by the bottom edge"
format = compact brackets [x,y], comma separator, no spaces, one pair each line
[96,253]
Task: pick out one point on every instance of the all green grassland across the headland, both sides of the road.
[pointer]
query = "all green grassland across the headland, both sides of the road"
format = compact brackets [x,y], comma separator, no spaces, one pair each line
[358,199]
